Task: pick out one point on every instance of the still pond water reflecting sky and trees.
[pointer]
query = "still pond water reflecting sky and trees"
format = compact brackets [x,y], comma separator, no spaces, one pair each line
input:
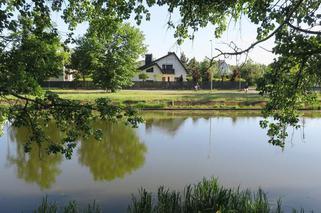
[170,149]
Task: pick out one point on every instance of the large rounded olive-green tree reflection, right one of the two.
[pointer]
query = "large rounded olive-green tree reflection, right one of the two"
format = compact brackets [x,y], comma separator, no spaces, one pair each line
[118,153]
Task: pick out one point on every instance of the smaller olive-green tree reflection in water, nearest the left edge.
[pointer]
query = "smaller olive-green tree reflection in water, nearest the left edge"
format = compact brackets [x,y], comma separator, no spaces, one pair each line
[37,166]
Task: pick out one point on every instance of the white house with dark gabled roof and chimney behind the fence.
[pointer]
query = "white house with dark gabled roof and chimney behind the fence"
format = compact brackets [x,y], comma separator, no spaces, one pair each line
[167,68]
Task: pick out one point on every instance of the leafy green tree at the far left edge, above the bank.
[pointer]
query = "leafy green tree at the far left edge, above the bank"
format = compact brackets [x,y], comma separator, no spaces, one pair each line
[32,52]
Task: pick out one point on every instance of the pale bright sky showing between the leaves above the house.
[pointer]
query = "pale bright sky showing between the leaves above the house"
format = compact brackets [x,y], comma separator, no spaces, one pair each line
[160,40]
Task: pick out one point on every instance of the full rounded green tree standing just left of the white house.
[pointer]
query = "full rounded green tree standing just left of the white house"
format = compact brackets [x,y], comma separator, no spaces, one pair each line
[109,53]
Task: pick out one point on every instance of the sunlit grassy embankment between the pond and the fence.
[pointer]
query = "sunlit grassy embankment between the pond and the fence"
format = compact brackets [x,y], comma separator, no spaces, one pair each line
[179,99]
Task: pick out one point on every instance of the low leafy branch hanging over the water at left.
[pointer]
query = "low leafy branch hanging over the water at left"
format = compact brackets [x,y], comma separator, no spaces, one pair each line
[73,119]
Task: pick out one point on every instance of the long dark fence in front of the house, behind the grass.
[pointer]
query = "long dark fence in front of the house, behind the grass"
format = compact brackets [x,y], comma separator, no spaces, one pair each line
[139,85]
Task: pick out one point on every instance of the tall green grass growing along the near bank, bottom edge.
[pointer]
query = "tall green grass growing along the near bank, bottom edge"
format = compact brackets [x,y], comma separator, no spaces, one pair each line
[205,196]
